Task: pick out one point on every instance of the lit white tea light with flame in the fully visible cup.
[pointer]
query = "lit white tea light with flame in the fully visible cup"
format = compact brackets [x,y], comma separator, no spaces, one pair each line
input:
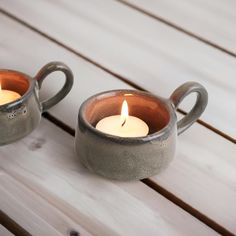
[123,125]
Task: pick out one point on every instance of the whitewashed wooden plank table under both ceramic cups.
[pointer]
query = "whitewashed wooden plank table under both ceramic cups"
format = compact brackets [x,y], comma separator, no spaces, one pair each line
[149,45]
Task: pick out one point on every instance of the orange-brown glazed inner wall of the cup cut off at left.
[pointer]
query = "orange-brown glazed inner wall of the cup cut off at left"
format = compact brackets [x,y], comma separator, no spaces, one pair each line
[14,81]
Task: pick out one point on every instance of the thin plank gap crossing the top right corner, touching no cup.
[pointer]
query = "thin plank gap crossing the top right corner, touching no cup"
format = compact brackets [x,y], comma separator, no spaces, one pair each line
[177,27]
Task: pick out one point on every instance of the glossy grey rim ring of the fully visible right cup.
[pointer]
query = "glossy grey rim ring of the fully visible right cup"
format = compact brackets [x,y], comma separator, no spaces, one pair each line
[165,131]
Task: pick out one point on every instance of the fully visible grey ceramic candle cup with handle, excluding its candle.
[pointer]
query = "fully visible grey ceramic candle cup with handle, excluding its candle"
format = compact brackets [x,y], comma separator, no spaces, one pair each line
[134,158]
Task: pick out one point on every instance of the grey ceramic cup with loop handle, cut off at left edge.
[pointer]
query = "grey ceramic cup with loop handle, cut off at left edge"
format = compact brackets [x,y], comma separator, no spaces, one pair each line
[20,117]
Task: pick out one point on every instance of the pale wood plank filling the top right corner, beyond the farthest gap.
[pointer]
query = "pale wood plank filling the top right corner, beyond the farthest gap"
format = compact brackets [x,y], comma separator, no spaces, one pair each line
[211,20]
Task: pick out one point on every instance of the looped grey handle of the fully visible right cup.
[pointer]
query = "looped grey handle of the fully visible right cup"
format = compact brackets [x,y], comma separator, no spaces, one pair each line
[180,93]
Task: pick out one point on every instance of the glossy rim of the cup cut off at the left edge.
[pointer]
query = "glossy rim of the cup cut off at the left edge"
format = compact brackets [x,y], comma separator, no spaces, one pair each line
[24,97]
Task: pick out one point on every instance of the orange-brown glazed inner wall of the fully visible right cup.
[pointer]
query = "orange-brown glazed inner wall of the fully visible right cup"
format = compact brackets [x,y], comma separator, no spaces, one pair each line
[148,108]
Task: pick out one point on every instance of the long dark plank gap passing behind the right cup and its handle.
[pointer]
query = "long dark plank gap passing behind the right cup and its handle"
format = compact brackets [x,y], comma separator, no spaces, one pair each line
[127,81]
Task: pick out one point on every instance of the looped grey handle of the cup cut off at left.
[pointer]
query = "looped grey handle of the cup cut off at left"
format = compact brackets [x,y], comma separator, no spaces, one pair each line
[44,72]
